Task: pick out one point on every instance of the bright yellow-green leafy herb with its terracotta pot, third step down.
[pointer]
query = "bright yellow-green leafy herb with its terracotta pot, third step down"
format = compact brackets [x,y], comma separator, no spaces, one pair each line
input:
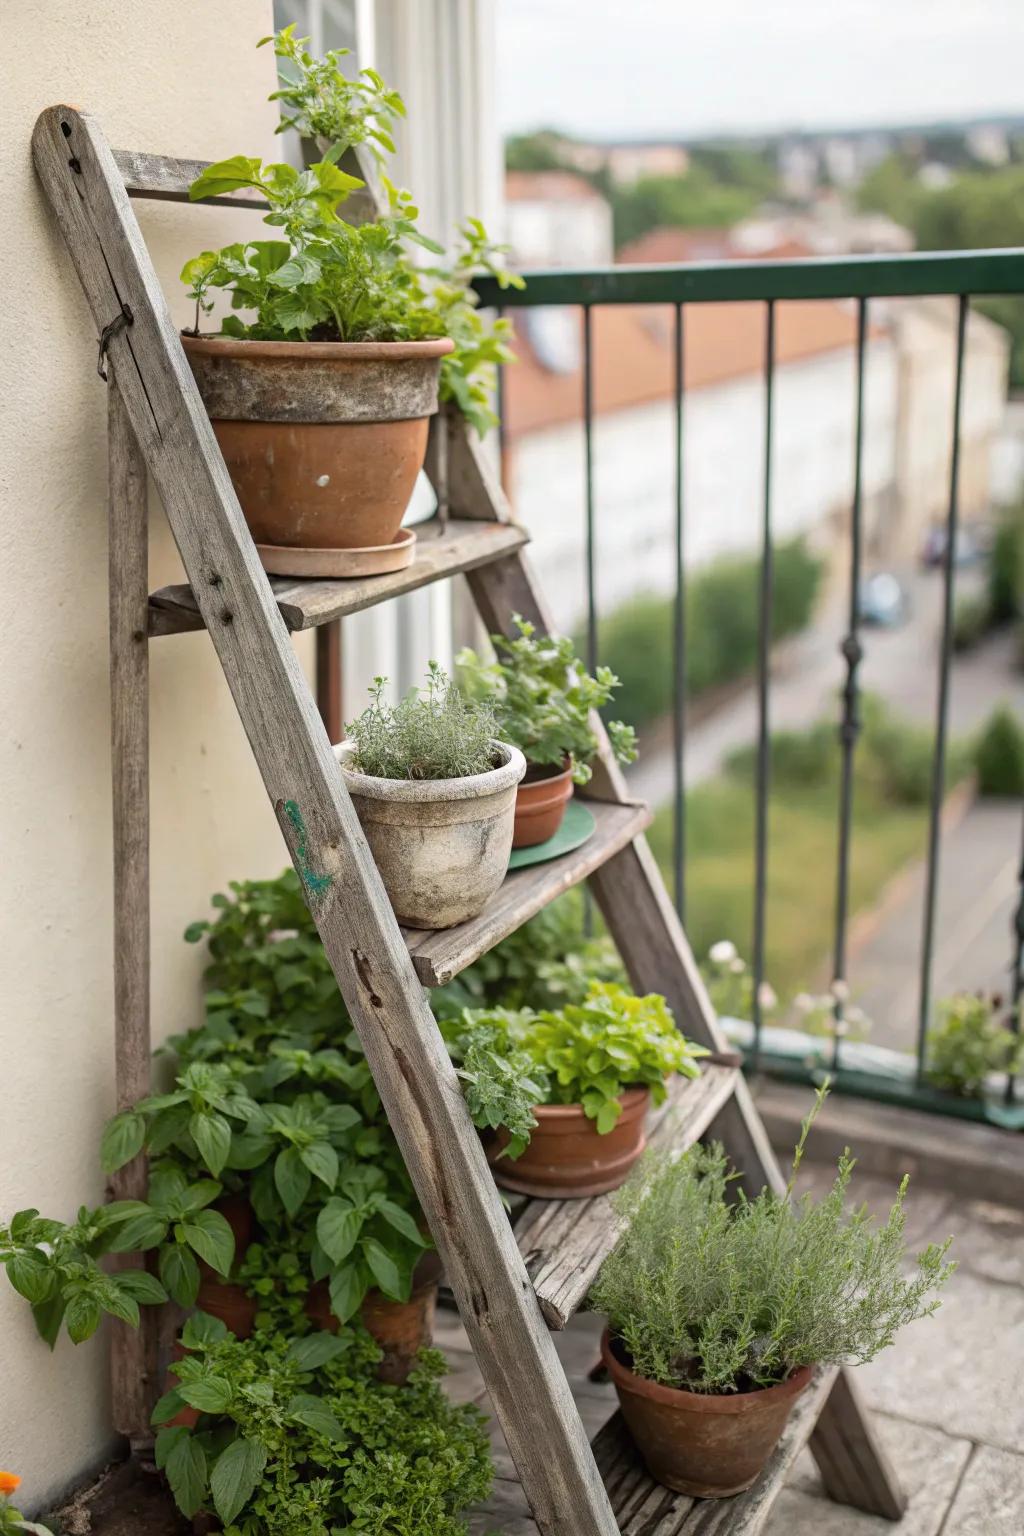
[567,1091]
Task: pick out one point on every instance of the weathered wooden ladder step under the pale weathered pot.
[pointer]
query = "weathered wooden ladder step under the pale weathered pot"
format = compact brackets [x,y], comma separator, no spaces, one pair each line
[440,955]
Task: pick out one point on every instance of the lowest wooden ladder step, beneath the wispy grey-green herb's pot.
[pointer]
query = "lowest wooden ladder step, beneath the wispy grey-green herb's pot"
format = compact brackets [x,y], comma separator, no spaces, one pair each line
[644,1508]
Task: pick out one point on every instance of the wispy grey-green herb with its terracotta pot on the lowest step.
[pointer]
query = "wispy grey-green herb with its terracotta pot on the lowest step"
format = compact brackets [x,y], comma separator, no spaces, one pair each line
[719,1309]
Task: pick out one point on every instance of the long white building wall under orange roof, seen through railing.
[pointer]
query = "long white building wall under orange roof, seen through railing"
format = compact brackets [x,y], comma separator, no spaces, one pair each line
[724,477]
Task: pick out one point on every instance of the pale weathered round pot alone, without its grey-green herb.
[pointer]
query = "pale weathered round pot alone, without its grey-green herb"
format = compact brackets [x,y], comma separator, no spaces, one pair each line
[441,844]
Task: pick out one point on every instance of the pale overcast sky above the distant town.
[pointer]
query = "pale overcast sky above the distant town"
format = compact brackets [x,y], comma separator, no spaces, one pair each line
[635,68]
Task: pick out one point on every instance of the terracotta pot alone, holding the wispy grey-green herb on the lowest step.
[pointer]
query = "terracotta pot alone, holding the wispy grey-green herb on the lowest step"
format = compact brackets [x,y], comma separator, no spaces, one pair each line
[704,1445]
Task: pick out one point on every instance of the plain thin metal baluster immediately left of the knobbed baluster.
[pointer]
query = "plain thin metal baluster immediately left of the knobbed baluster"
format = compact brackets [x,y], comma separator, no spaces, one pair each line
[764,670]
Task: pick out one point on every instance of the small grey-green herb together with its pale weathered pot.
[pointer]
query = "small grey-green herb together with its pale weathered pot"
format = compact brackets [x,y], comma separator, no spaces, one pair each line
[435,793]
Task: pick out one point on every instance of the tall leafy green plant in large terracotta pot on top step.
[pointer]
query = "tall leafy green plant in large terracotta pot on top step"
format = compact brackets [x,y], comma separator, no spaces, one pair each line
[329,366]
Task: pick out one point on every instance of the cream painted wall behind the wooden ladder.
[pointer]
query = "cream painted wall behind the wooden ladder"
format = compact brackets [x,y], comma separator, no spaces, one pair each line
[182,79]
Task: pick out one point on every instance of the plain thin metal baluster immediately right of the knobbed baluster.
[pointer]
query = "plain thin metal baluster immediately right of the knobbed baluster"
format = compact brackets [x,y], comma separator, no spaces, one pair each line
[942,724]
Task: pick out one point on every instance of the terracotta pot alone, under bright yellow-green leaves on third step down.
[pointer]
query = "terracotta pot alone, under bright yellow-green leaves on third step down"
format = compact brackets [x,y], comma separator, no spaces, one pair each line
[569,1157]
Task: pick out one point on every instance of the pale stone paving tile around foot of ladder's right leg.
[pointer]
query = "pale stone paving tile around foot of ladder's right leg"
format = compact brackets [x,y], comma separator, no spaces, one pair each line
[930,1466]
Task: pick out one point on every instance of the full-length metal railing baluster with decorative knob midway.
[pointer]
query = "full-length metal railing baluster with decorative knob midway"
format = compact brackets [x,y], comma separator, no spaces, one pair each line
[850,729]
